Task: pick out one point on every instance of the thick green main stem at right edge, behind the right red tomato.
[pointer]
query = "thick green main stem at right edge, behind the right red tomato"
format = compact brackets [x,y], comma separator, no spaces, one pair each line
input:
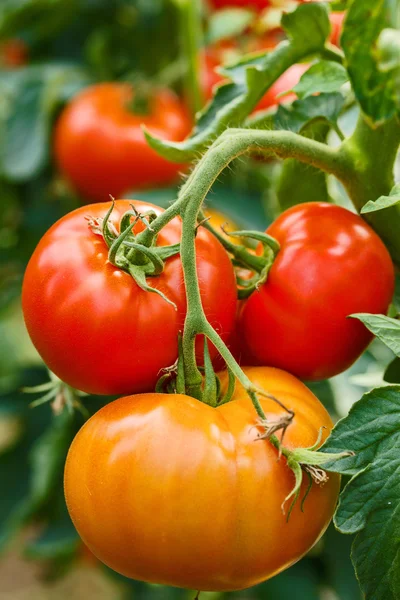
[371,154]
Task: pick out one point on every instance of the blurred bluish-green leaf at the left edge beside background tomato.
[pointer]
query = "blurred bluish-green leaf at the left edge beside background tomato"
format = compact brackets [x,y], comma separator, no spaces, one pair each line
[32,95]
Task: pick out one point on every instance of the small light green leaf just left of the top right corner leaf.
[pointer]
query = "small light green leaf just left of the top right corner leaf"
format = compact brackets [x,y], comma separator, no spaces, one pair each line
[325,76]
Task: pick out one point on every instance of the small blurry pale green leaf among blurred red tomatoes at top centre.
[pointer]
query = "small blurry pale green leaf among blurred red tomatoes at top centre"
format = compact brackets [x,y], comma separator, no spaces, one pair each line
[228,24]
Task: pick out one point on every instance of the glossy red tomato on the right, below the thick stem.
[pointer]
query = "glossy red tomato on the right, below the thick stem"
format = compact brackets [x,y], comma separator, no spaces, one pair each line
[331,265]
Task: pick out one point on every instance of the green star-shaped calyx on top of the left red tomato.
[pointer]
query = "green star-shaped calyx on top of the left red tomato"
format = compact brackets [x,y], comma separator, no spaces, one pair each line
[139,260]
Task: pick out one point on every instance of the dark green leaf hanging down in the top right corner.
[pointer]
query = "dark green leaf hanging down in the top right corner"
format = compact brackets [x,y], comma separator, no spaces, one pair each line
[376,90]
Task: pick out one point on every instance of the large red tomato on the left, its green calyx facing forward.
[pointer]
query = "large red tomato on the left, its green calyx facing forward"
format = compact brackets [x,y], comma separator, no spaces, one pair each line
[92,324]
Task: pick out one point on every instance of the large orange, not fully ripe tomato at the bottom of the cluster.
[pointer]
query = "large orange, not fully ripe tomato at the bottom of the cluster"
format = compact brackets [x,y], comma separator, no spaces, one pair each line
[165,489]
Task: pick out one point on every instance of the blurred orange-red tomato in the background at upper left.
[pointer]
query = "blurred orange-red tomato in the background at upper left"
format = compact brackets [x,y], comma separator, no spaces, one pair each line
[100,146]
